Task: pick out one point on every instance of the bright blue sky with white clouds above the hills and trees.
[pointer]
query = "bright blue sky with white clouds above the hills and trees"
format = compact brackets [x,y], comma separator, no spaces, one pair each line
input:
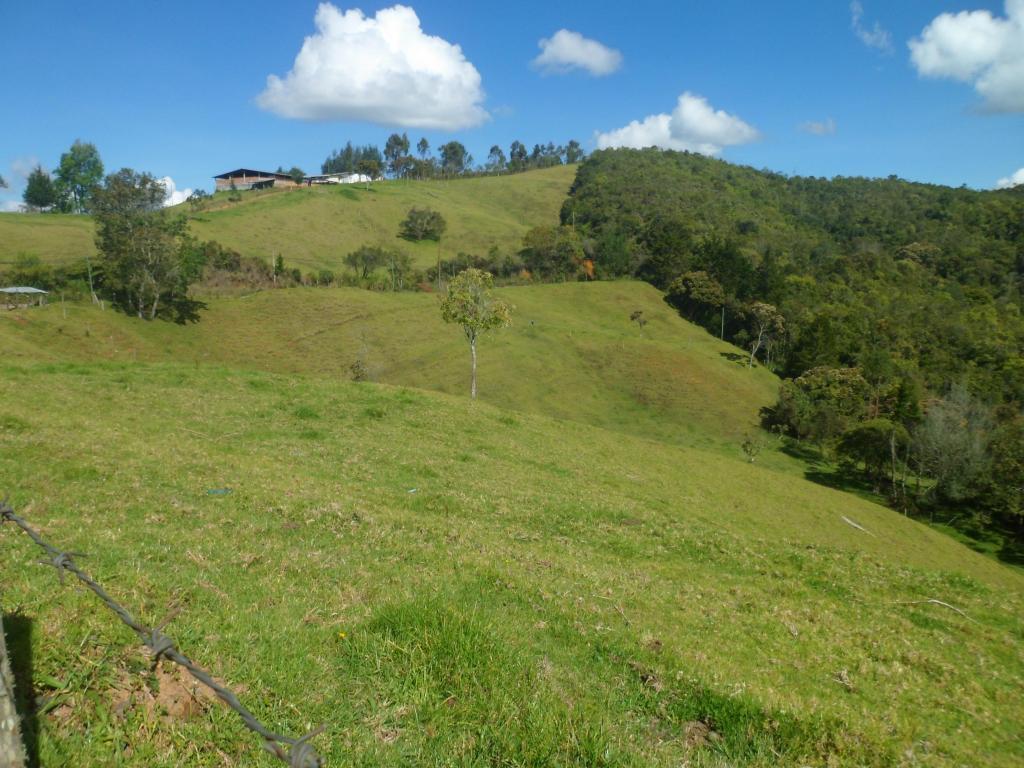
[812,89]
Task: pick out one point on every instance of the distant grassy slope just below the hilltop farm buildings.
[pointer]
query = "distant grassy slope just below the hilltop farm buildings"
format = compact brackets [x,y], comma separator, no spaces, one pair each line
[316,228]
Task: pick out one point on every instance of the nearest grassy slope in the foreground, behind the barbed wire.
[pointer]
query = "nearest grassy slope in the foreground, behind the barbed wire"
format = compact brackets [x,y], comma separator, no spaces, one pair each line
[443,583]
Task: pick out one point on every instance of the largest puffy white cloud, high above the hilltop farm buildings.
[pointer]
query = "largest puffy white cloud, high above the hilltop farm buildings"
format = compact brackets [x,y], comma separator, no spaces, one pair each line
[381,70]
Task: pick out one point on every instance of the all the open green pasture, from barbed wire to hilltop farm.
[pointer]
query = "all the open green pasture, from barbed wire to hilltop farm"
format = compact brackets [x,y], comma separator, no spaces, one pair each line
[581,570]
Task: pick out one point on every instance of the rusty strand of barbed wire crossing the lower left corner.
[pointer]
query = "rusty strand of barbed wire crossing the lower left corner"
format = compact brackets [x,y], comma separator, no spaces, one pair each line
[296,753]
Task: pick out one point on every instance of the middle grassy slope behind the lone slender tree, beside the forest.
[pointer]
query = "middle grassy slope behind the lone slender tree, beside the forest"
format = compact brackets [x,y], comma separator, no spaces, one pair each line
[572,353]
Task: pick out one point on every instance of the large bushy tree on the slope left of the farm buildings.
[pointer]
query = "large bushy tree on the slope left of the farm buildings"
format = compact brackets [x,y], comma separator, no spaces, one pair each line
[147,259]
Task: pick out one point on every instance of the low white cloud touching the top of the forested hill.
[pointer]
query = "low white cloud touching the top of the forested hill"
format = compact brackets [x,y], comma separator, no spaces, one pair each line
[695,126]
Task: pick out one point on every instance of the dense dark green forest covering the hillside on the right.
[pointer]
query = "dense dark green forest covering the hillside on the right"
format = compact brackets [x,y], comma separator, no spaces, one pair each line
[895,308]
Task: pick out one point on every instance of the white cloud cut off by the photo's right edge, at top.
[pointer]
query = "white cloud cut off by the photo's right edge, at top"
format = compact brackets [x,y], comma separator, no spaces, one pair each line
[979,49]
